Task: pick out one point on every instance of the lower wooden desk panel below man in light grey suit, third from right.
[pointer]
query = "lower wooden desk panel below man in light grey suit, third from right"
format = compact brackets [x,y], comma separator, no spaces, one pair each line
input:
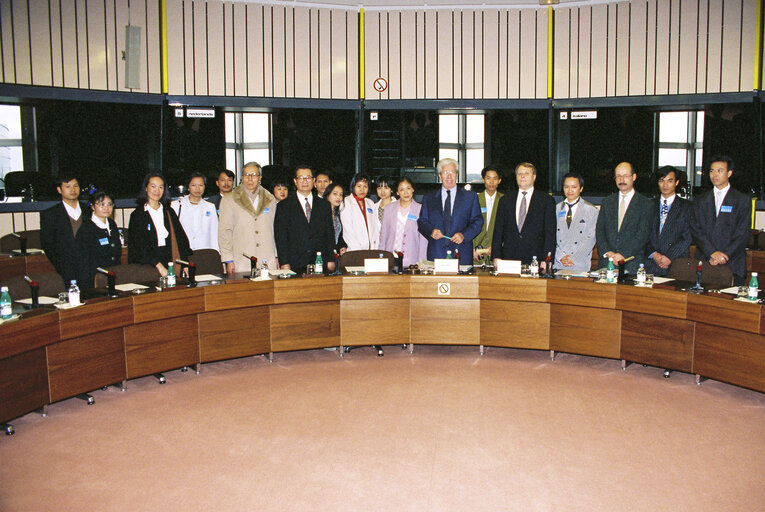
[589,331]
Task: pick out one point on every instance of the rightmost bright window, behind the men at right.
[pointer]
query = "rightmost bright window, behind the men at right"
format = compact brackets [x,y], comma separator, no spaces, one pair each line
[681,142]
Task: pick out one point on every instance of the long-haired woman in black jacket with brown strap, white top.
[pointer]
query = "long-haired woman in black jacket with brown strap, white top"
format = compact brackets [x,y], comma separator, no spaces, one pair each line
[155,235]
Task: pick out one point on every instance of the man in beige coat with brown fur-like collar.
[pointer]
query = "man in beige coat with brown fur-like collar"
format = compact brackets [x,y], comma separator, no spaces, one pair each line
[246,225]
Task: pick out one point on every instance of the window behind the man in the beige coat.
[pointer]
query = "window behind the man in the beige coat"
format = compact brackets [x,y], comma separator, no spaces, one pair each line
[248,139]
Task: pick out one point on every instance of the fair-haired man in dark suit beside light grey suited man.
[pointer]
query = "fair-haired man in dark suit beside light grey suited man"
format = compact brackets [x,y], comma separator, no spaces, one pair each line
[525,223]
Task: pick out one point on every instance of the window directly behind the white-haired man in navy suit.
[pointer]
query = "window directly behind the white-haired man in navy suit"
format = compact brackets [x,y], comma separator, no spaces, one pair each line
[461,137]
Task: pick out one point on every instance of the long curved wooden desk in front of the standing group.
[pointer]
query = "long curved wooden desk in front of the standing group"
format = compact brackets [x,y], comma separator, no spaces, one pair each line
[50,355]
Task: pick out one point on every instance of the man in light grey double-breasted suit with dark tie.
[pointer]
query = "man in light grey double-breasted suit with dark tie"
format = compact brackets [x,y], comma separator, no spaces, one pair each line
[576,223]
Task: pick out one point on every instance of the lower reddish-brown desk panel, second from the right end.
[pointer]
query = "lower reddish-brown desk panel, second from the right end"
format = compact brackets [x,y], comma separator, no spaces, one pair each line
[658,341]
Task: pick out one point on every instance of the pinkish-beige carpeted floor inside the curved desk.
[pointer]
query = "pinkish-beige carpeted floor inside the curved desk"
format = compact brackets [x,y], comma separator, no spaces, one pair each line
[442,429]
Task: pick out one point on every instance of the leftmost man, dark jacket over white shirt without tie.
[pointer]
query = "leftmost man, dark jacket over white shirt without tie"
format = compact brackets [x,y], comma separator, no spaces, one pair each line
[59,225]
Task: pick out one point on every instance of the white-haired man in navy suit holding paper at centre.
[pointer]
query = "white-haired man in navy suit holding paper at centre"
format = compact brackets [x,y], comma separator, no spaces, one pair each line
[450,217]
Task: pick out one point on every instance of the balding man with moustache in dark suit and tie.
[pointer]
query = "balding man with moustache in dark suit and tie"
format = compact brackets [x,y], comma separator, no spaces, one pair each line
[624,222]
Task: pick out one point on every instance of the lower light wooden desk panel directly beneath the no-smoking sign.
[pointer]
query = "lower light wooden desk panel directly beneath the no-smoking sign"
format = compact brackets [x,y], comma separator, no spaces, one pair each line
[446,321]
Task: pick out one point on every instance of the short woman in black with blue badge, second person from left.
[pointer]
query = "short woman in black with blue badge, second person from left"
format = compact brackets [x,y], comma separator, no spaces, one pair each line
[98,240]
